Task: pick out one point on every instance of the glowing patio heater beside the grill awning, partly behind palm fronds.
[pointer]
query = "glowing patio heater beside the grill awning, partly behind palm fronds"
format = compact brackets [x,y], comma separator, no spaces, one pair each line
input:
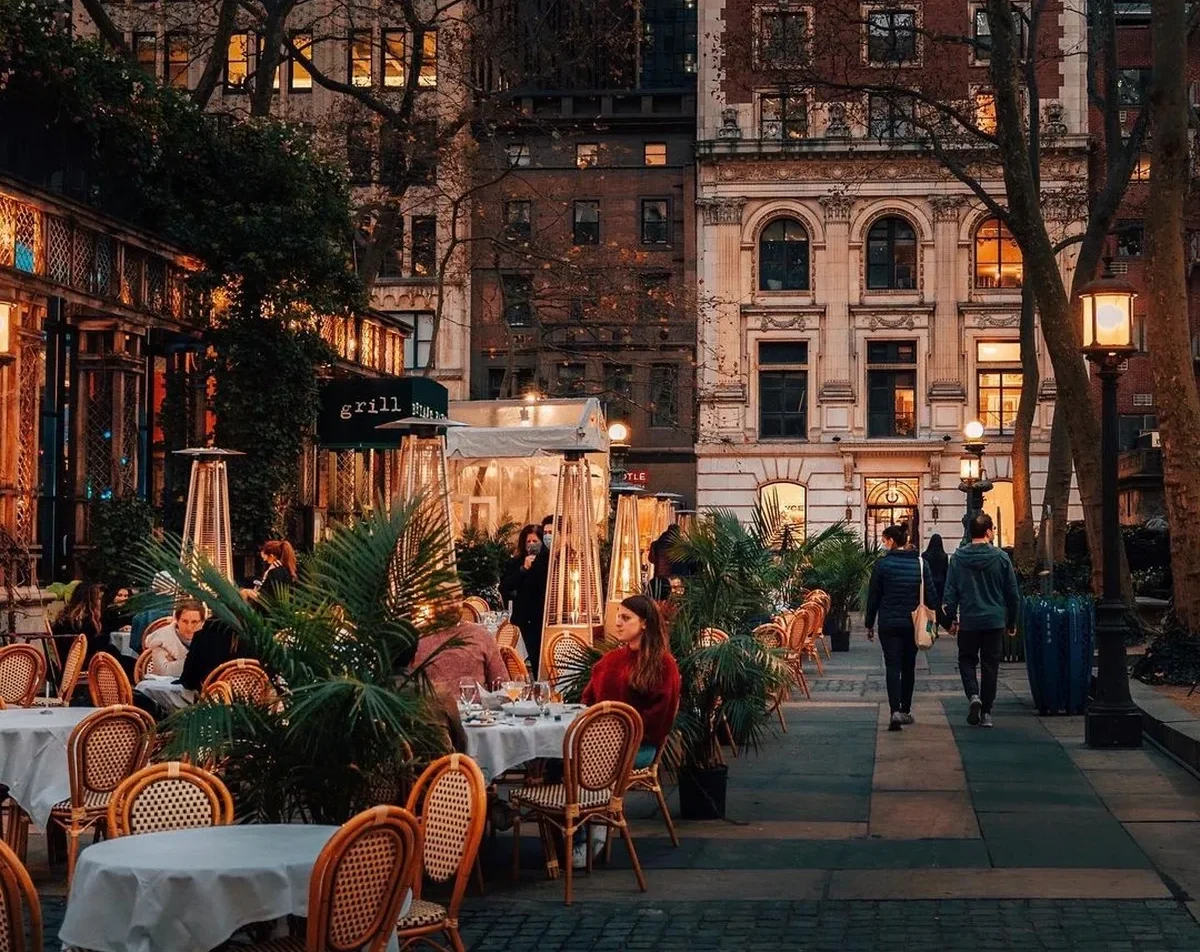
[423,472]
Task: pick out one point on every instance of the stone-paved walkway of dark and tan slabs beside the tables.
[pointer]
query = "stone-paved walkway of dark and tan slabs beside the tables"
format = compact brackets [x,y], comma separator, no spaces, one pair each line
[844,836]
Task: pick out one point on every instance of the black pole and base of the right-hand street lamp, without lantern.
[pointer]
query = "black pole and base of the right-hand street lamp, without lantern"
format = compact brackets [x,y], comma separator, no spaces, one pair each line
[1113,720]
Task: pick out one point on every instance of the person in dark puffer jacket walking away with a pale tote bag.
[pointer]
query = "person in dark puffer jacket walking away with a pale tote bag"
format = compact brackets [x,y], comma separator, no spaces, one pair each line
[891,601]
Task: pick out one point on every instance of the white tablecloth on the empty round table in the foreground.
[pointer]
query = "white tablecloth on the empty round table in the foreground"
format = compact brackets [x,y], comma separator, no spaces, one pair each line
[189,890]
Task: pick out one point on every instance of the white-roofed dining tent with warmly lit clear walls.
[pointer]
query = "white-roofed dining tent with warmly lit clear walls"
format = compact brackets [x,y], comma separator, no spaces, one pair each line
[505,464]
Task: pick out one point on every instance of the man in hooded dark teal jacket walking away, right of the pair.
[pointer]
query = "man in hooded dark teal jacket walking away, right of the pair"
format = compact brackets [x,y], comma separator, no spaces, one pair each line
[982,602]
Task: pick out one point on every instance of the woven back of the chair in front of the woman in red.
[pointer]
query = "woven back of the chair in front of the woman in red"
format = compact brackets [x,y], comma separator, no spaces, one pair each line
[599,750]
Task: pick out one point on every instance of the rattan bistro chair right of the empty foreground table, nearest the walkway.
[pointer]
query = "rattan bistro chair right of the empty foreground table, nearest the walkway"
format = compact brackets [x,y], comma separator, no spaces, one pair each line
[451,803]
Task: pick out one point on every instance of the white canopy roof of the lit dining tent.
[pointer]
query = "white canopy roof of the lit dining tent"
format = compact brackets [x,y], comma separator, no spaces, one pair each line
[517,429]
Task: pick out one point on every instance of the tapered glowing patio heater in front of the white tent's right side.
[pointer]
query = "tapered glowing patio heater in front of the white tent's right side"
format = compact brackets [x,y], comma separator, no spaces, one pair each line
[574,598]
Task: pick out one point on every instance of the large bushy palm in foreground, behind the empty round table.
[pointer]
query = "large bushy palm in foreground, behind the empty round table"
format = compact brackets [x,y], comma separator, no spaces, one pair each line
[339,640]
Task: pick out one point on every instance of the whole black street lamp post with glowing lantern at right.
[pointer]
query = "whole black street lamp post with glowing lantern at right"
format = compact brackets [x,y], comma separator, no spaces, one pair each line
[1112,719]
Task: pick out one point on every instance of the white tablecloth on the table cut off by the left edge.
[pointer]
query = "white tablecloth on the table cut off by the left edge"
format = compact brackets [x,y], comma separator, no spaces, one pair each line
[34,757]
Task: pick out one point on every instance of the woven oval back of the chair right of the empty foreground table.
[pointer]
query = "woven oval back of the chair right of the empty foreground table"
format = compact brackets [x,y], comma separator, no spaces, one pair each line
[451,800]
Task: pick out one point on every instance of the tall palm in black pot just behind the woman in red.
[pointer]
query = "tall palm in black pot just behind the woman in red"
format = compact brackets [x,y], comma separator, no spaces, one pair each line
[728,685]
